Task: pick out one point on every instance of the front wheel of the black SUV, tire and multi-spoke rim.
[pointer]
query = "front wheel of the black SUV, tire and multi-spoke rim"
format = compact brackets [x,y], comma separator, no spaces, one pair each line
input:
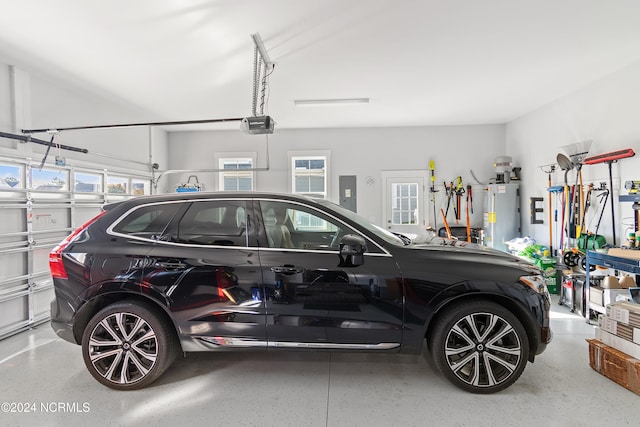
[479,346]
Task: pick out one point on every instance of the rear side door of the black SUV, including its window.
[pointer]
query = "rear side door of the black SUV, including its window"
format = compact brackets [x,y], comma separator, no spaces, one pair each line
[211,274]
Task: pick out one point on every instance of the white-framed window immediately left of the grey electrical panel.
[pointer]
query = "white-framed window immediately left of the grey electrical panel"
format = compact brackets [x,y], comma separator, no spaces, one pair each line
[309,176]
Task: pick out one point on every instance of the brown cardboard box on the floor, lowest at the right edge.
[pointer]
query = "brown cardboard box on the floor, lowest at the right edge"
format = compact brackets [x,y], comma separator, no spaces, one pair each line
[615,365]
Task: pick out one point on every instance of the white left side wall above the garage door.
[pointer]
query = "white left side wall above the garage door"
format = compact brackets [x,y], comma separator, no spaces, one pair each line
[52,104]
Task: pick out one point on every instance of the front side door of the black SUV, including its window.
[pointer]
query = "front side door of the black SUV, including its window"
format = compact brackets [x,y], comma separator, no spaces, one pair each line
[313,302]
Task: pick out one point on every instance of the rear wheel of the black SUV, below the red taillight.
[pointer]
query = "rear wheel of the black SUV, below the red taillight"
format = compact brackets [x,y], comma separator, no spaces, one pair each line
[128,345]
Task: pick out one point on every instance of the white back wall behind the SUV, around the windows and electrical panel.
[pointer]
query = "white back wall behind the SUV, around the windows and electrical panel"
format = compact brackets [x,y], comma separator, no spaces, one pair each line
[362,152]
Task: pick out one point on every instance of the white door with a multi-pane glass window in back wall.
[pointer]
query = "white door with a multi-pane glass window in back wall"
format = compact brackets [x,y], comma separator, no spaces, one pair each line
[404,210]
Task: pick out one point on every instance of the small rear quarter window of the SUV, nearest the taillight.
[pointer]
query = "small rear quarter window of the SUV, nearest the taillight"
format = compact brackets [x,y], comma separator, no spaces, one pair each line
[147,221]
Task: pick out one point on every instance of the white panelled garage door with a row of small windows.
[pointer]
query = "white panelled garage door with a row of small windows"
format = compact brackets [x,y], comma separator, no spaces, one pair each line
[39,206]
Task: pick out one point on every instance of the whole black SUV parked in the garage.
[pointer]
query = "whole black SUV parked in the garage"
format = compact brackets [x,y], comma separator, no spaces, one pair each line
[152,277]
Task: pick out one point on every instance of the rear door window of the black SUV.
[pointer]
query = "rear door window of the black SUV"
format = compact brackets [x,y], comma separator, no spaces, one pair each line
[221,223]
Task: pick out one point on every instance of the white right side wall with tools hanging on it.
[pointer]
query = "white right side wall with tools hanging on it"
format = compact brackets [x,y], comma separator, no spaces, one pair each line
[606,112]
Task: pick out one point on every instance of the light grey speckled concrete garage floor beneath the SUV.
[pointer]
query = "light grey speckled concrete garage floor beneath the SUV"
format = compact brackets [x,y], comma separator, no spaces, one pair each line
[310,389]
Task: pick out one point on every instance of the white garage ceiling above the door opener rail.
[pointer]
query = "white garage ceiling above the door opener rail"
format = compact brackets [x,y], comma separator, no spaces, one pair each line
[420,62]
